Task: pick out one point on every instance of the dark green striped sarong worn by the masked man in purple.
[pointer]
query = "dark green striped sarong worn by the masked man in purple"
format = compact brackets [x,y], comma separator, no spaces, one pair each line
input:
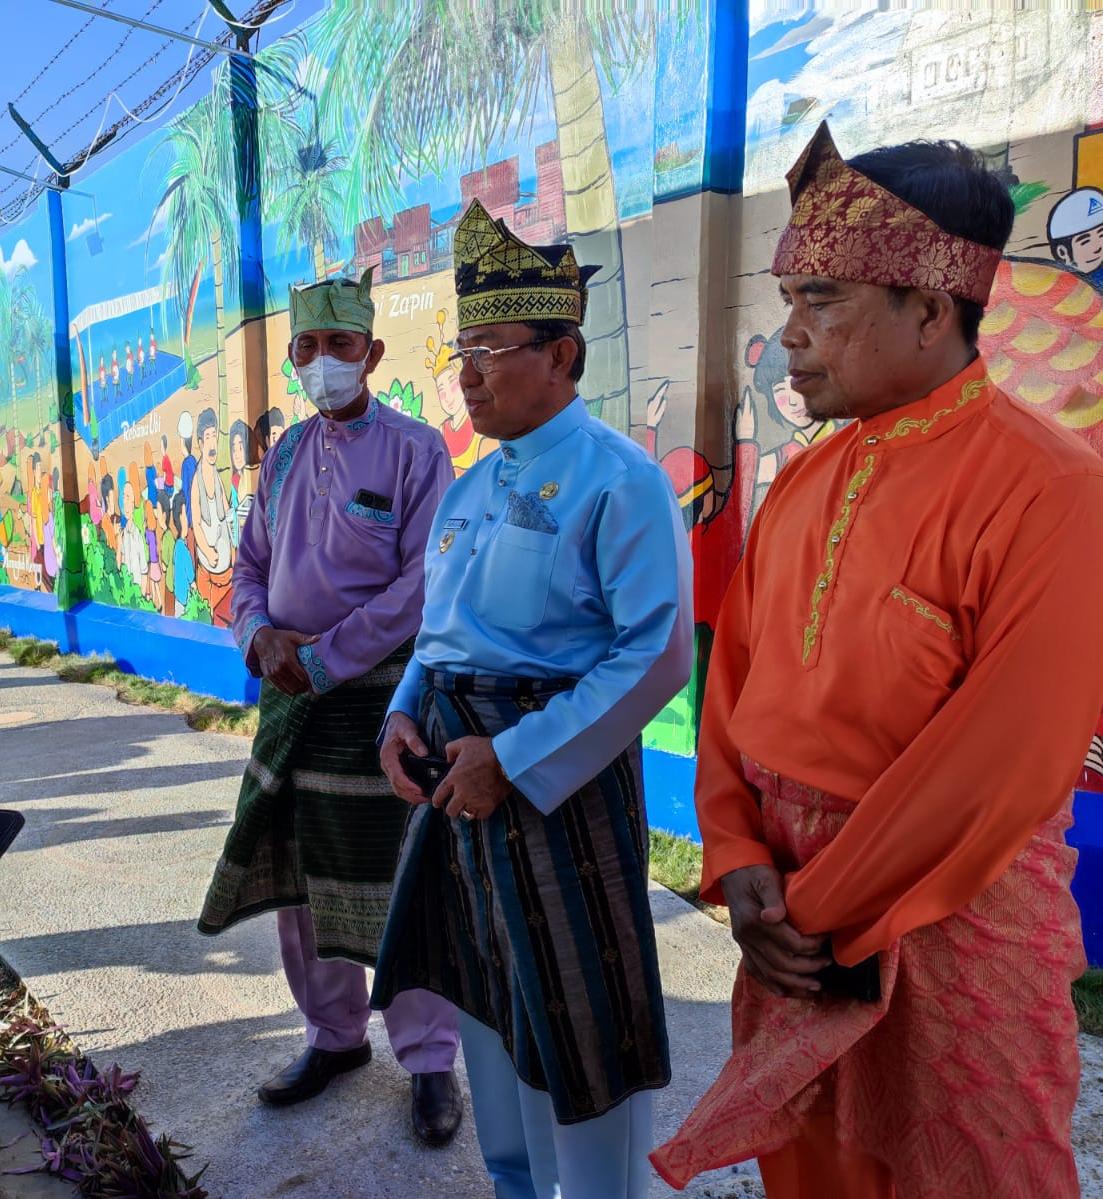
[317,822]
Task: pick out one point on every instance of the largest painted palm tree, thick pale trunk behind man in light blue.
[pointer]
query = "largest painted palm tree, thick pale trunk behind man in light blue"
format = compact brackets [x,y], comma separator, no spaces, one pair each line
[420,91]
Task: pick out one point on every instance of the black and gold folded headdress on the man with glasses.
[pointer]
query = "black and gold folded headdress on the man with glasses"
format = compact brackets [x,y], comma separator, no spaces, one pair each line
[499,280]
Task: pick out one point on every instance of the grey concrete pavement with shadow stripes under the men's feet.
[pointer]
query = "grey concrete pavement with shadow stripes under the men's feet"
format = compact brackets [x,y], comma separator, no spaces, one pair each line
[126,812]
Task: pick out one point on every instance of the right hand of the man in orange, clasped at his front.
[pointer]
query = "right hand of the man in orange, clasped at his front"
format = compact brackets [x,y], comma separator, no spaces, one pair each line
[777,956]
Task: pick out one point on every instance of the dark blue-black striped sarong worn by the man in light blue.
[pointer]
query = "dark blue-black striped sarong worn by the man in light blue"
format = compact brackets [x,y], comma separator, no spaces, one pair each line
[538,926]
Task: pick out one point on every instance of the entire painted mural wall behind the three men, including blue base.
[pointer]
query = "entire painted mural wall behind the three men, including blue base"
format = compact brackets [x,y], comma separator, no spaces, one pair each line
[654,137]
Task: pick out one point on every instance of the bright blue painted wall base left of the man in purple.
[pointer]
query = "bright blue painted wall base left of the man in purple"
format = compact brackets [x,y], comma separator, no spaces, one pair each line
[196,656]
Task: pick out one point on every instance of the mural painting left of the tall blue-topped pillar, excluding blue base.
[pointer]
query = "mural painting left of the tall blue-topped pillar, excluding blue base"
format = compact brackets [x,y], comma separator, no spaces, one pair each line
[357,142]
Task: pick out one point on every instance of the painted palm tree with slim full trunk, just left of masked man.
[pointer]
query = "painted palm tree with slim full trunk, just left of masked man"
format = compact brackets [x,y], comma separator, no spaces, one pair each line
[198,202]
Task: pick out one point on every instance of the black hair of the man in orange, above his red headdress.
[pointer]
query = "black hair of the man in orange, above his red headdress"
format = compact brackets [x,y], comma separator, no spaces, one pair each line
[953,184]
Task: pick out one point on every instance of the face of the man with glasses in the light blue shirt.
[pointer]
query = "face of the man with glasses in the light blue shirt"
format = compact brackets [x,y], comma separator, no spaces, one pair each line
[501,402]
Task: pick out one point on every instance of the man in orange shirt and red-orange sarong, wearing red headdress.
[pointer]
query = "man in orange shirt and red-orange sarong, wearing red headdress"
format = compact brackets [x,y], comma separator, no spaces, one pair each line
[905,680]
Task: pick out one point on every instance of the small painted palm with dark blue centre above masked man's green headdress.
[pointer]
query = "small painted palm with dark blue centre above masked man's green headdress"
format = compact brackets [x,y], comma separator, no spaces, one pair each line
[306,203]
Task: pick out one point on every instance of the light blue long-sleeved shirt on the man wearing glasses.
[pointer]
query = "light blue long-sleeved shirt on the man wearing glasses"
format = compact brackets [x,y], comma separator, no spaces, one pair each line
[563,555]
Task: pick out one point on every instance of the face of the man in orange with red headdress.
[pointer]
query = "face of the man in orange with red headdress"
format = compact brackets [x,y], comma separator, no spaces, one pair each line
[852,352]
